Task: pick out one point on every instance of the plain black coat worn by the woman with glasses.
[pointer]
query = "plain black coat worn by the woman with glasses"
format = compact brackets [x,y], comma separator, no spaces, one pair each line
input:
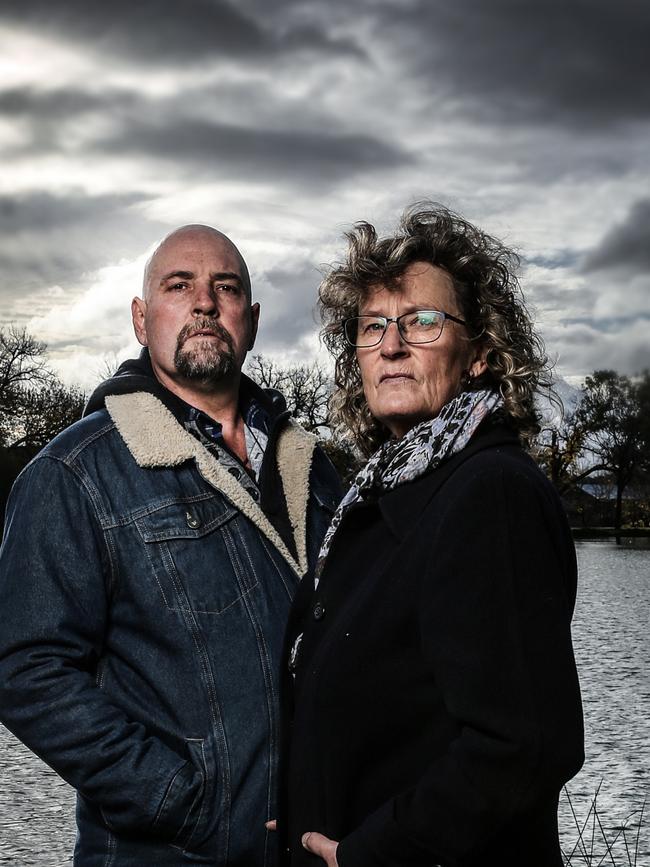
[436,712]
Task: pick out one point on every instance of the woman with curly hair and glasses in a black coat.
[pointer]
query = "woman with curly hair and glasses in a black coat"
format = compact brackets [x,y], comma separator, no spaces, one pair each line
[435,704]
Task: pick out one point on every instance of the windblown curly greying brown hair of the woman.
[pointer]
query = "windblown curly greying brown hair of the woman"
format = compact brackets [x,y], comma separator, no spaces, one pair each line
[483,275]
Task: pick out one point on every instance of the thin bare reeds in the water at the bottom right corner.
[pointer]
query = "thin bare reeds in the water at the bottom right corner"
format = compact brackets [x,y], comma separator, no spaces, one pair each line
[598,846]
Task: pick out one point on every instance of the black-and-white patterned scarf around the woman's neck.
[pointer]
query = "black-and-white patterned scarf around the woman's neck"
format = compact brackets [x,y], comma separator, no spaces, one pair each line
[419,451]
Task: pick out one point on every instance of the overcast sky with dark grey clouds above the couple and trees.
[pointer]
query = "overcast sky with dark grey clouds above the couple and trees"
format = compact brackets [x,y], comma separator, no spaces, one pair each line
[281,123]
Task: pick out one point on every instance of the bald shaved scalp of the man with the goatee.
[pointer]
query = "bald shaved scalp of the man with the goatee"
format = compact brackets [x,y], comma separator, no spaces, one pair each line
[192,240]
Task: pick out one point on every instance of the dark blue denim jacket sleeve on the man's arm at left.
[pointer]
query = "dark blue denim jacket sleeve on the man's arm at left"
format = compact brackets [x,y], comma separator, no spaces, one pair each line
[54,574]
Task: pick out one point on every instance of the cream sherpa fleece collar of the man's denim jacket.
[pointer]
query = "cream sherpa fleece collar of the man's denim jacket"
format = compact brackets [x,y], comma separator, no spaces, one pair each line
[156,439]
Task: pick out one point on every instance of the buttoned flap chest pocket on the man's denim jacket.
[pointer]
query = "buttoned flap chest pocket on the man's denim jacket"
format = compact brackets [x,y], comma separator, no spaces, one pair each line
[189,547]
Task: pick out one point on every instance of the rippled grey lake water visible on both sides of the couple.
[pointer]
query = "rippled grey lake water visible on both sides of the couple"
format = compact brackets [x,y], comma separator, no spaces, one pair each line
[613,653]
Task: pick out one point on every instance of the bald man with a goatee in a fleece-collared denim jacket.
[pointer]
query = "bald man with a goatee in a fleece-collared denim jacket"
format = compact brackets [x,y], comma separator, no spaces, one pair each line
[150,555]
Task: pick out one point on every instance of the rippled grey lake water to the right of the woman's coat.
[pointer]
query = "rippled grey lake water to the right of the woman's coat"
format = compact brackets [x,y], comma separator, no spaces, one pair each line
[613,655]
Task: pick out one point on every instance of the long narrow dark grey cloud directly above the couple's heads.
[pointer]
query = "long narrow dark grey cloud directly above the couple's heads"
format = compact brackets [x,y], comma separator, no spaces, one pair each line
[302,156]
